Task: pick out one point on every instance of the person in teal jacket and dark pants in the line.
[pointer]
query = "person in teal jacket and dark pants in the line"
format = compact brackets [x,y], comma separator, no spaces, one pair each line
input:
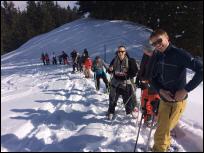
[98,69]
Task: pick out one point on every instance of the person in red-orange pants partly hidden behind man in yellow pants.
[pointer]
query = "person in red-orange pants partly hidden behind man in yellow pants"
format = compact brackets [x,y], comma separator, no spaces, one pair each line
[149,95]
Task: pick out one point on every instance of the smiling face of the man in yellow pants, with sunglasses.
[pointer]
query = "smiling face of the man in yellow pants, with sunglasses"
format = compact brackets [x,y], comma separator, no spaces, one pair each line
[160,42]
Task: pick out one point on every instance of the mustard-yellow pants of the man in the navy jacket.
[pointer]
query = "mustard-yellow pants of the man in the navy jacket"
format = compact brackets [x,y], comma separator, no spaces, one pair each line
[168,116]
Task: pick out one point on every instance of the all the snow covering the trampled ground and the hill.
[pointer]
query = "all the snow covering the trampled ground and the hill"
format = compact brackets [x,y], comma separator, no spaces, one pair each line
[47,108]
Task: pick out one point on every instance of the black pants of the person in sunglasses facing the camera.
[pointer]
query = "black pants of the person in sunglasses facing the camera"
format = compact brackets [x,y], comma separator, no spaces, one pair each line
[126,92]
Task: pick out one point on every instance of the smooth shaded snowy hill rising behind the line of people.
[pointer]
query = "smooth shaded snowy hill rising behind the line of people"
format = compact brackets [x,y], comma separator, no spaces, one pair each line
[84,33]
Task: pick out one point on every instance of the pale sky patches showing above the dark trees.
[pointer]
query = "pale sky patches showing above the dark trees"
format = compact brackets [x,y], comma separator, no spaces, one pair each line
[22,4]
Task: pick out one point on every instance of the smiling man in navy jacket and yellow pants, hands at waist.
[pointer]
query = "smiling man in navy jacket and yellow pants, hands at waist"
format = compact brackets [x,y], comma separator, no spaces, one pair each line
[169,80]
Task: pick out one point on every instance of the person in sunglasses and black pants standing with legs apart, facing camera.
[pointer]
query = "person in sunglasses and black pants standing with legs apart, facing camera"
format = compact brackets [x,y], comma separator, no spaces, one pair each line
[124,69]
